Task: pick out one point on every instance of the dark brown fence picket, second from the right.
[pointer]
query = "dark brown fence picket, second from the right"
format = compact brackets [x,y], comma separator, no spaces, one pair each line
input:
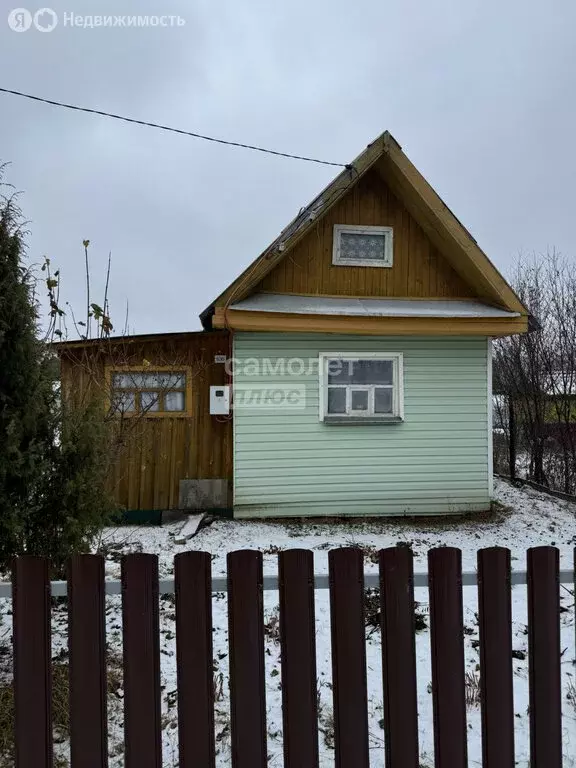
[496,681]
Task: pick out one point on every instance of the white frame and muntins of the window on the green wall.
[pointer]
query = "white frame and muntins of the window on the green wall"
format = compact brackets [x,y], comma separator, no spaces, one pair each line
[397,360]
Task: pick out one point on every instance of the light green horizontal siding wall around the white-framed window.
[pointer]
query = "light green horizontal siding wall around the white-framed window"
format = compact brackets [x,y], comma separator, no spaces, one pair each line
[289,463]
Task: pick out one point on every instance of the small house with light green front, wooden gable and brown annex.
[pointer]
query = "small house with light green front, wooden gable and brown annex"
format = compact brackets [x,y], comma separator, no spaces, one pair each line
[357,349]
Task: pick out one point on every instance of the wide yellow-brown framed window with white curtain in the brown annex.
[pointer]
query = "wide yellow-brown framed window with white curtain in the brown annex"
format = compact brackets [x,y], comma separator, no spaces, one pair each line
[148,392]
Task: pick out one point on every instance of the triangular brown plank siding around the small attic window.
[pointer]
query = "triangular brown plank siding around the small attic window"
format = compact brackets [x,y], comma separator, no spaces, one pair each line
[419,270]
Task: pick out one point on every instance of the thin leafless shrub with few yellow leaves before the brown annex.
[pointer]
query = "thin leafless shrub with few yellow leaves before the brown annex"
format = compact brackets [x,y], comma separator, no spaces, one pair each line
[83,381]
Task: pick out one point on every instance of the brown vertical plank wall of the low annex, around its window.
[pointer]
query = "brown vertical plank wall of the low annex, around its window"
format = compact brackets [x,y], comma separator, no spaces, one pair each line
[156,453]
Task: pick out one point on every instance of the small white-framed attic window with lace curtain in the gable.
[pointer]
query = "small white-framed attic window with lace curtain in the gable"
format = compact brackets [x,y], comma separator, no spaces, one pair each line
[362,246]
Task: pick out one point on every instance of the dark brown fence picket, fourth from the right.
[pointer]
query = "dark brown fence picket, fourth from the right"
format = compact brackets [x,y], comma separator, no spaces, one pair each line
[399,657]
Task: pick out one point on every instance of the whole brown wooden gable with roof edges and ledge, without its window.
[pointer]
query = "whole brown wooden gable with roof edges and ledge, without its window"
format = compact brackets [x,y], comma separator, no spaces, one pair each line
[434,258]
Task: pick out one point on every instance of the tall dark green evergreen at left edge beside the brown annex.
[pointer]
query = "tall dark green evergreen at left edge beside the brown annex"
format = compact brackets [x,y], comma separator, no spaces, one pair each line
[54,460]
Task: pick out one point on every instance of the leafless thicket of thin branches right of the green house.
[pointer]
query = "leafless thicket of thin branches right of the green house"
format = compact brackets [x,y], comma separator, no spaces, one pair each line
[535,374]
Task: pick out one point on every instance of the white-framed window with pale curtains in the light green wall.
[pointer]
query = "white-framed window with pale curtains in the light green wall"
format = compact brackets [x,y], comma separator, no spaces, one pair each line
[367,388]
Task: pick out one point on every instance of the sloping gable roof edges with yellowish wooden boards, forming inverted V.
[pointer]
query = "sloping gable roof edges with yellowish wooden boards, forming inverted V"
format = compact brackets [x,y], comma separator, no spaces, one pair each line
[437,220]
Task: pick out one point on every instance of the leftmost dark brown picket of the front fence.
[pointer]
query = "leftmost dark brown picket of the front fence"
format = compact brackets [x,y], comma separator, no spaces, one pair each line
[32,662]
